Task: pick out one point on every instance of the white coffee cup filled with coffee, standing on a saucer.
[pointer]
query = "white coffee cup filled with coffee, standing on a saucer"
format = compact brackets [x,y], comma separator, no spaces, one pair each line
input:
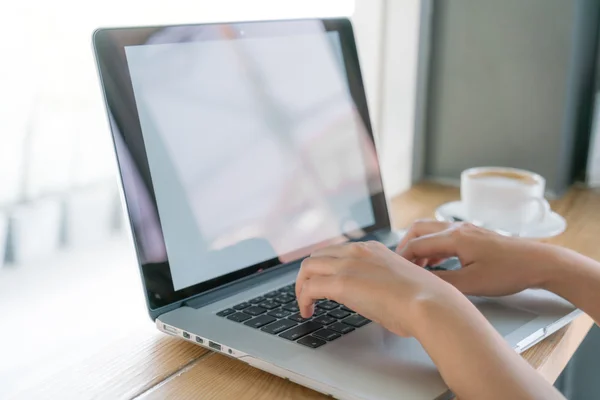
[507,199]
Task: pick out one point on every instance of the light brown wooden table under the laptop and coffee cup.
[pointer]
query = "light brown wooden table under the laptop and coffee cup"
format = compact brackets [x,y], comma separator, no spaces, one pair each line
[151,365]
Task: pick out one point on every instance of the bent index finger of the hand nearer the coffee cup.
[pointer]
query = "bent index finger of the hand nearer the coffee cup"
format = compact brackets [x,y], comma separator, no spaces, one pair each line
[437,245]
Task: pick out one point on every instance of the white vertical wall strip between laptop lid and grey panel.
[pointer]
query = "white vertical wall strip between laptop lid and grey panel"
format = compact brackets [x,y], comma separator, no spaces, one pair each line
[387,36]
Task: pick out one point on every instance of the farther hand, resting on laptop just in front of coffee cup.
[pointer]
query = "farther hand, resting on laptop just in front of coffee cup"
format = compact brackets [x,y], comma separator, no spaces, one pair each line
[493,265]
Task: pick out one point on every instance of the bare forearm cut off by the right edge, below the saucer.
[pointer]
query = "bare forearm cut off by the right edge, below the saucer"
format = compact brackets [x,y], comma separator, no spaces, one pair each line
[576,278]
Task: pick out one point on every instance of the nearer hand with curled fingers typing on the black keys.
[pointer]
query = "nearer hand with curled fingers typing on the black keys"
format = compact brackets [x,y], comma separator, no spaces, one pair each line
[372,280]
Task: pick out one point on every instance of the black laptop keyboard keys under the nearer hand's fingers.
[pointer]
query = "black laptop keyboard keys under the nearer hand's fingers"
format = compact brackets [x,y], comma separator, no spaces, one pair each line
[277,313]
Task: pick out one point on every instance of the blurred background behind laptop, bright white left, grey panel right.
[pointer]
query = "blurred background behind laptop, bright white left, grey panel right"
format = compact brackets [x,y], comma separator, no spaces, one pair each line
[516,81]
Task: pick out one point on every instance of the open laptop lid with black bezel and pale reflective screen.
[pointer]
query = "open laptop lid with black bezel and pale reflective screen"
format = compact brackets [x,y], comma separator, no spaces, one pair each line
[241,147]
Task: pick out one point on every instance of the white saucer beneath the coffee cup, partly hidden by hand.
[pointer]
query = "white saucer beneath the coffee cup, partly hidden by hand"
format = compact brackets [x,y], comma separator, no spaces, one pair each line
[553,225]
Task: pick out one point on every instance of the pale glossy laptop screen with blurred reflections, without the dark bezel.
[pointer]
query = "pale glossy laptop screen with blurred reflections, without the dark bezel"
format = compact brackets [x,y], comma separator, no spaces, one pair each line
[255,149]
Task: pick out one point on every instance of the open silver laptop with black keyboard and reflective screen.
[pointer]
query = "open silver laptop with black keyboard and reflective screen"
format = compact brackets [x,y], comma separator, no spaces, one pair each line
[242,147]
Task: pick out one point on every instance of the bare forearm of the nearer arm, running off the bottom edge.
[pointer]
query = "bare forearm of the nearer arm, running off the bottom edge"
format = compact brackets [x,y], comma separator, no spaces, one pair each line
[474,360]
